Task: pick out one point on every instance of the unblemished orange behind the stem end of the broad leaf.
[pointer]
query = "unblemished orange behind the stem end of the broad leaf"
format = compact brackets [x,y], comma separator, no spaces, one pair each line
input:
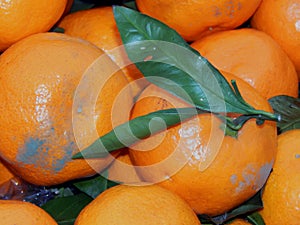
[253,56]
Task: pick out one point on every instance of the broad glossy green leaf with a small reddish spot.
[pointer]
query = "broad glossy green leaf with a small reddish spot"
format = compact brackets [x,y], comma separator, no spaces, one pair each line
[166,60]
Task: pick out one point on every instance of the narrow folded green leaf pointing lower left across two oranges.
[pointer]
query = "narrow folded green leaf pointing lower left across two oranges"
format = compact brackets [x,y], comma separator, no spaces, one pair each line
[132,131]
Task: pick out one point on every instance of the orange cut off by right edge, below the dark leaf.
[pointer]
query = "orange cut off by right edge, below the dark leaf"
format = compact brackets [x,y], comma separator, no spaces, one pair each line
[281,196]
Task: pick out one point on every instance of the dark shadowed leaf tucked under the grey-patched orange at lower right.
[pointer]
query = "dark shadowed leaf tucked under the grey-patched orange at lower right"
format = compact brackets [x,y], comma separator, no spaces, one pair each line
[249,206]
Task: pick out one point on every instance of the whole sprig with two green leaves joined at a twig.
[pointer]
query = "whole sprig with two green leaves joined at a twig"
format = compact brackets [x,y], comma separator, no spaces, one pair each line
[168,61]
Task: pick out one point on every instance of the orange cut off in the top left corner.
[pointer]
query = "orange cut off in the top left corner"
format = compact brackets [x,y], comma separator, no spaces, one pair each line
[21,18]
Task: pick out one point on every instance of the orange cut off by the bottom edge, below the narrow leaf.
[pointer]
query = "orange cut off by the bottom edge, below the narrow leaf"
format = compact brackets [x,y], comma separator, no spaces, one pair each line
[142,205]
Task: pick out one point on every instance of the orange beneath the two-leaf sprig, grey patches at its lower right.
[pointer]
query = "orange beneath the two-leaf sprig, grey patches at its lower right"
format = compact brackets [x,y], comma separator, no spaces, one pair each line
[238,171]
